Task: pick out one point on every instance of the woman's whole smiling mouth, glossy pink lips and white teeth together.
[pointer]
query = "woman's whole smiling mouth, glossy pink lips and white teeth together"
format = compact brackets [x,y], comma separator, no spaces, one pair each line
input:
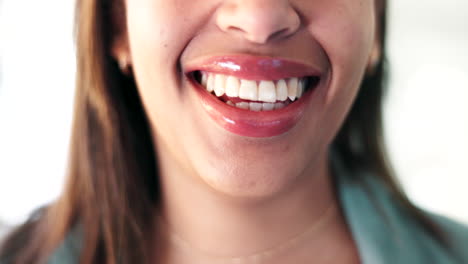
[253,96]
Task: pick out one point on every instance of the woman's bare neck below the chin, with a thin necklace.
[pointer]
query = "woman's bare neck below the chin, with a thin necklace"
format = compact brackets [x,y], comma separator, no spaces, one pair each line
[199,223]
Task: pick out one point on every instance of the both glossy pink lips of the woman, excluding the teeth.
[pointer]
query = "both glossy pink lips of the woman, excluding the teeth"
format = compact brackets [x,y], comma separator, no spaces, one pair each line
[245,122]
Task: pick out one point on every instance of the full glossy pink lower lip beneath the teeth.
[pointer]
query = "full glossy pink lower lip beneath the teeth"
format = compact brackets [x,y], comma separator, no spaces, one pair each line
[248,123]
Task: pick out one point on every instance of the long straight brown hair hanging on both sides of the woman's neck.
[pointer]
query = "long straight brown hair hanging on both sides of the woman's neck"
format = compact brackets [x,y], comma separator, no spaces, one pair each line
[112,185]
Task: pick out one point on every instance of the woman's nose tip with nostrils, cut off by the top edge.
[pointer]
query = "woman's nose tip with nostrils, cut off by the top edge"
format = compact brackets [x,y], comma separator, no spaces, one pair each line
[258,21]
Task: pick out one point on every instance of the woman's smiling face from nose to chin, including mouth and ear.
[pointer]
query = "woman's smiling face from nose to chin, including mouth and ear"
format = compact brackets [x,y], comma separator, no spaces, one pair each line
[260,53]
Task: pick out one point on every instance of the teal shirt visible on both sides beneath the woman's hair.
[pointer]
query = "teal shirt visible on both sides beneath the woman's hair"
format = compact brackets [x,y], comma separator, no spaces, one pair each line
[383,231]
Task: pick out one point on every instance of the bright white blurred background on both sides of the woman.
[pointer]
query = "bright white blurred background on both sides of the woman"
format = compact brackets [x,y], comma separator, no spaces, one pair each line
[426,115]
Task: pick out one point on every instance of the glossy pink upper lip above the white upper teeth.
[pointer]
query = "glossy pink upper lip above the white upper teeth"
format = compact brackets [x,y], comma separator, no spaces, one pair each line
[252,67]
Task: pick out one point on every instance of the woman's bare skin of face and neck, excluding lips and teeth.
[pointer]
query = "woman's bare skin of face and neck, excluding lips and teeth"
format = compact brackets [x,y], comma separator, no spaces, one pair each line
[249,194]
